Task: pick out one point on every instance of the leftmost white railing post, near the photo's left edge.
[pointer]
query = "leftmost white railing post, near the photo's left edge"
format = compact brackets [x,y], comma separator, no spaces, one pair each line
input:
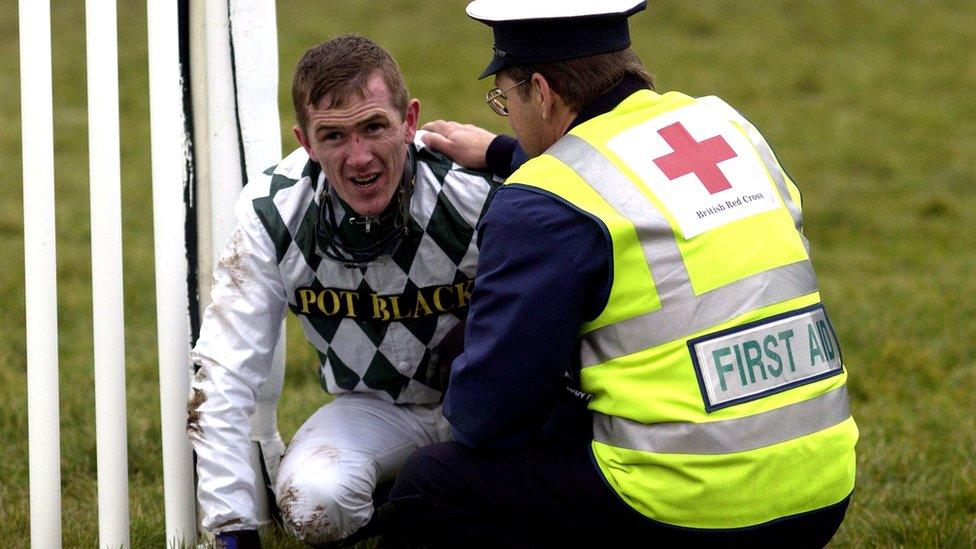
[40,270]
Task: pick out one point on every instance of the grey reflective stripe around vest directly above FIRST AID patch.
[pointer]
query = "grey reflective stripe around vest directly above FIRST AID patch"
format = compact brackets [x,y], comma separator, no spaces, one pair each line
[677,320]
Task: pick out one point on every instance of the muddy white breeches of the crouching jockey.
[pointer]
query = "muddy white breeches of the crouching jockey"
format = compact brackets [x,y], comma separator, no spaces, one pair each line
[336,459]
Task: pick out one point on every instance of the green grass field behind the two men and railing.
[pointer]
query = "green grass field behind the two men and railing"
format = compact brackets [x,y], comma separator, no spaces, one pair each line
[869,104]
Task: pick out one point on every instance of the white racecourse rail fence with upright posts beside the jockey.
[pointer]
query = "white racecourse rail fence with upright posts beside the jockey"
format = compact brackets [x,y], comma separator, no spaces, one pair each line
[197,171]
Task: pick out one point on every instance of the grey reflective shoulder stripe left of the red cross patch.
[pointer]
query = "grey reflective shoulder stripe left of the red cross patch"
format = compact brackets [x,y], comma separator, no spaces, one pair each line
[656,236]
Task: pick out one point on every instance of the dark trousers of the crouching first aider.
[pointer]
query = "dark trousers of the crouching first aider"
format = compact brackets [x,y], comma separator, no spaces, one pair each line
[551,494]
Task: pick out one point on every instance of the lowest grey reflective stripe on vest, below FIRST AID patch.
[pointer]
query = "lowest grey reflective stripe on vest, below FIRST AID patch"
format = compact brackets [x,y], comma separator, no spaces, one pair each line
[726,436]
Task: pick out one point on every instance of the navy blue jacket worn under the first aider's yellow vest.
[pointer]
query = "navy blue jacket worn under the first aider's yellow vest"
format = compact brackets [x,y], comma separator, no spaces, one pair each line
[544,269]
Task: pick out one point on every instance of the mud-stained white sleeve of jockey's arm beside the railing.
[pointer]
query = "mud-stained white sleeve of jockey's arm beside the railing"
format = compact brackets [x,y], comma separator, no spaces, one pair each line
[234,355]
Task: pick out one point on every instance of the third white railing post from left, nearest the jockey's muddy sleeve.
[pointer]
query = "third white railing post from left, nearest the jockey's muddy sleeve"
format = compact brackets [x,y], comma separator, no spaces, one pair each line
[170,162]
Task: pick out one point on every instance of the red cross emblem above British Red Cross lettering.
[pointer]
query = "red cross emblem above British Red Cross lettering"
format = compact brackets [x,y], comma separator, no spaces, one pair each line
[698,157]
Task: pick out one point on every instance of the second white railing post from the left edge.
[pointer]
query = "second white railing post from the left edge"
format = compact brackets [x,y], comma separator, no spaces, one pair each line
[106,248]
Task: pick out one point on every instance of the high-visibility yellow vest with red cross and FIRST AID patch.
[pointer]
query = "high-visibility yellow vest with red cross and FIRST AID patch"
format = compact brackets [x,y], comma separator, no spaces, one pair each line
[719,390]
